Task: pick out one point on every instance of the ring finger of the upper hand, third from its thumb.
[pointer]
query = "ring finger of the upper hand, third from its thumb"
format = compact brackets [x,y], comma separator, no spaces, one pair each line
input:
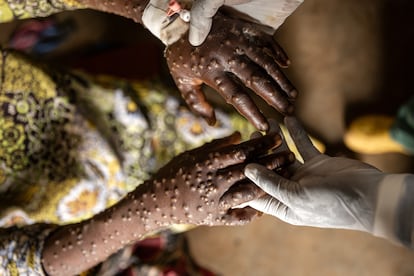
[266,60]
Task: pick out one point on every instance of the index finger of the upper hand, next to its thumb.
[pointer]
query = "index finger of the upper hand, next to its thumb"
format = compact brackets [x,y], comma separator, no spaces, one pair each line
[235,95]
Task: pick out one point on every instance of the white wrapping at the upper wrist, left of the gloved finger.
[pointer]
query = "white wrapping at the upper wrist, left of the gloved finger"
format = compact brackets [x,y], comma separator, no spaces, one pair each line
[168,28]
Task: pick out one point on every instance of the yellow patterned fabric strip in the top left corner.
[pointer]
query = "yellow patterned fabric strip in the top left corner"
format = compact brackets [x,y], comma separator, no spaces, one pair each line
[20,9]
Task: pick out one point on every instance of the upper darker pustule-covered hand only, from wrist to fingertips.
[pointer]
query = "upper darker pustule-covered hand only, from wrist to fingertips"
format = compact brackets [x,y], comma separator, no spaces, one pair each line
[236,55]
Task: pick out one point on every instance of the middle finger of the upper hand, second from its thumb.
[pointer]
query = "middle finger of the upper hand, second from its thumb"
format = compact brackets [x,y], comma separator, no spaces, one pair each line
[257,80]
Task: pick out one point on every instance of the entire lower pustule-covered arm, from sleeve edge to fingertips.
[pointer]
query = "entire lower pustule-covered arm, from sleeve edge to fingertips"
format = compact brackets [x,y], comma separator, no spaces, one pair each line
[188,190]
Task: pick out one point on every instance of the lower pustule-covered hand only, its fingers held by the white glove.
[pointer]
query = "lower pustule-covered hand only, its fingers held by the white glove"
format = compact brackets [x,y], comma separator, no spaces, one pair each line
[195,181]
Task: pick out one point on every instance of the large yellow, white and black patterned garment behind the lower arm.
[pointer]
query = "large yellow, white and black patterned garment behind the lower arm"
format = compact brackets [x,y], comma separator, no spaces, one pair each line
[71,145]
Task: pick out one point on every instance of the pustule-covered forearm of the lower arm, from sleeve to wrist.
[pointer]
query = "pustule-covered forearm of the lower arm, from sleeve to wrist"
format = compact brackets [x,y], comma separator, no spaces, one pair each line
[75,248]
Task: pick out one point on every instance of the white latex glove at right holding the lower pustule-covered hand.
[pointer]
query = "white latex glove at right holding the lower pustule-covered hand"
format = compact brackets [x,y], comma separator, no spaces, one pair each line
[329,192]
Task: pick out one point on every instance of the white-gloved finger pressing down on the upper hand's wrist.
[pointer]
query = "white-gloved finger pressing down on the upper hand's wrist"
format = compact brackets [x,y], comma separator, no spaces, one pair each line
[202,12]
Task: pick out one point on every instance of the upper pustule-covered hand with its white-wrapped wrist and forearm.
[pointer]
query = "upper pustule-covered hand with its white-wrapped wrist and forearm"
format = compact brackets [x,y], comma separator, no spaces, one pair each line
[236,56]
